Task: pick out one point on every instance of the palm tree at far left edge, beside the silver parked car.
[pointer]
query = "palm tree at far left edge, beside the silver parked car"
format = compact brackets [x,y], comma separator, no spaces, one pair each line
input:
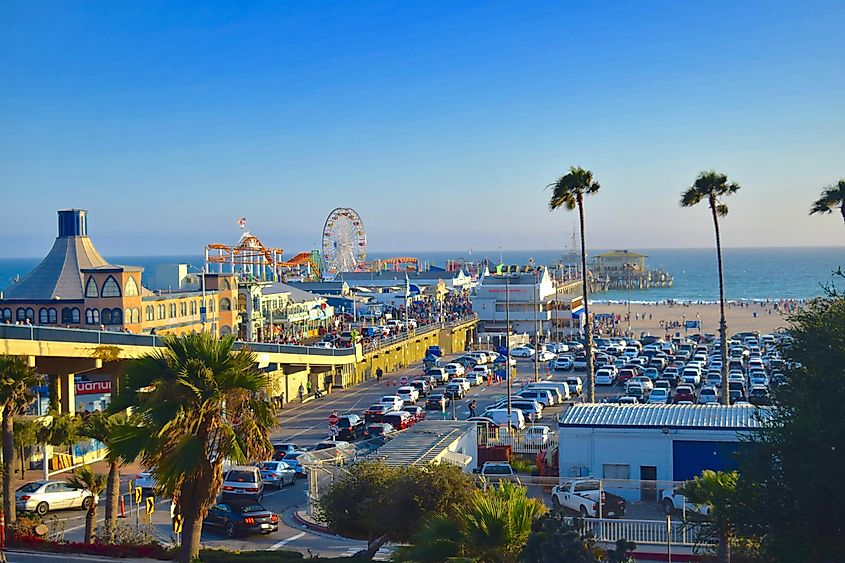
[17,379]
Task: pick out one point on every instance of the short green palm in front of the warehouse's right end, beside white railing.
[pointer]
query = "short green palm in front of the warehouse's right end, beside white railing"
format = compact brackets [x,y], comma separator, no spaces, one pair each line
[716,490]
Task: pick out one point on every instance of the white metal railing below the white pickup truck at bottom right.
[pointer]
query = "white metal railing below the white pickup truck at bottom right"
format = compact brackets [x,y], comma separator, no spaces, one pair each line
[647,531]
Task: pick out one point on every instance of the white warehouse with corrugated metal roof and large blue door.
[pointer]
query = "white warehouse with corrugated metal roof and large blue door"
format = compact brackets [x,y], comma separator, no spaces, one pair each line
[652,442]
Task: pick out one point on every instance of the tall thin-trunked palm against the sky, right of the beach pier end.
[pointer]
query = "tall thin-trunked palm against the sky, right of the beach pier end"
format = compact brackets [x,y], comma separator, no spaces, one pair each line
[712,187]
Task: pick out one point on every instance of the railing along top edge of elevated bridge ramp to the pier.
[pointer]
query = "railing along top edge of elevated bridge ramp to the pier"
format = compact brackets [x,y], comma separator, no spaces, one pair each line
[104,337]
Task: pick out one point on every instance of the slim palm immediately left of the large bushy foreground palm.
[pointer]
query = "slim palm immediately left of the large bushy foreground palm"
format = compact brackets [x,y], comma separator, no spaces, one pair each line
[104,427]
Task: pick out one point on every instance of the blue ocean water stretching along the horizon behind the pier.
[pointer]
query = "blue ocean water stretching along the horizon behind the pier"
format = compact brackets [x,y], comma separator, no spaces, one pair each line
[750,273]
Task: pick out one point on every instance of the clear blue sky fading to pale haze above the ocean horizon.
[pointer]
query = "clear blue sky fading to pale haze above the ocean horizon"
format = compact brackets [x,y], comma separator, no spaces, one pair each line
[441,123]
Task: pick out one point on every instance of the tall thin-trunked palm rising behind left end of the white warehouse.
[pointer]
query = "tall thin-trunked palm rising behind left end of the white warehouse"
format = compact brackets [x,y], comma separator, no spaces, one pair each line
[569,191]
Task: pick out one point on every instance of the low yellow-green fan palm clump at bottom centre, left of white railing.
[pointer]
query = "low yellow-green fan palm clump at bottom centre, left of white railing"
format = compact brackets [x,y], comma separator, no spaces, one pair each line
[493,529]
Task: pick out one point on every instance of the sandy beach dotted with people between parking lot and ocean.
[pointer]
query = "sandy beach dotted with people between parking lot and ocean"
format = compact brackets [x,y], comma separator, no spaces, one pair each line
[651,318]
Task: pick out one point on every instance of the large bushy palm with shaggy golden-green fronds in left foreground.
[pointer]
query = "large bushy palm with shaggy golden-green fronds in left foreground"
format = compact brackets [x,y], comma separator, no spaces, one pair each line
[198,402]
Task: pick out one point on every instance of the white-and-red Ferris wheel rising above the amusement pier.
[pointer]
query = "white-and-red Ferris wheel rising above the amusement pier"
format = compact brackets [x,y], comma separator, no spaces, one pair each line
[344,241]
